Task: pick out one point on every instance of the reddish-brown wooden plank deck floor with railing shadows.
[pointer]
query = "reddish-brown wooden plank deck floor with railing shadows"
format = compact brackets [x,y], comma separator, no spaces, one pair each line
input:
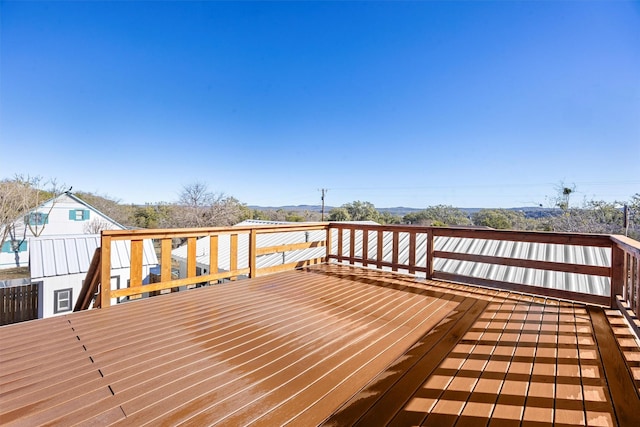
[328,344]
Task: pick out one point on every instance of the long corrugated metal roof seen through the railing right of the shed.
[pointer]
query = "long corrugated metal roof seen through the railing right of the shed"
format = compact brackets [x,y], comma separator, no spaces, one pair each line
[595,256]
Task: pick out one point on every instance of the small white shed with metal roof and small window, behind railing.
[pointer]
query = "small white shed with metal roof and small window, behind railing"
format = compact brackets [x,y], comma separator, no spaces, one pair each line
[59,266]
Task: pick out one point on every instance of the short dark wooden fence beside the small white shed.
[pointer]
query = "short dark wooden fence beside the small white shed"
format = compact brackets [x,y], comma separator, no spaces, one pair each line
[19,303]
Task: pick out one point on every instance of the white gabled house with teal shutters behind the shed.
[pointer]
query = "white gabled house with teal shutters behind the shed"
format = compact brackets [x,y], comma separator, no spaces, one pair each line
[62,215]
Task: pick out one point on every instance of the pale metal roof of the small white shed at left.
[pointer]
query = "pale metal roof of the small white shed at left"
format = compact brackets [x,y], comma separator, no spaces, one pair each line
[71,254]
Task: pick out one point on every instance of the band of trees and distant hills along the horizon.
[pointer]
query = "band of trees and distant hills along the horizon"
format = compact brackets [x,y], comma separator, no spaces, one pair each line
[197,206]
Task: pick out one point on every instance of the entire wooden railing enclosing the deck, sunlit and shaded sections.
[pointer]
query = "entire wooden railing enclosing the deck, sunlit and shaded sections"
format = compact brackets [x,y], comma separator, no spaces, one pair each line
[410,249]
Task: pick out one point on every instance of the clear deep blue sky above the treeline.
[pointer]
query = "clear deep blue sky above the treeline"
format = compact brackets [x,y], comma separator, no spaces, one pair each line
[472,104]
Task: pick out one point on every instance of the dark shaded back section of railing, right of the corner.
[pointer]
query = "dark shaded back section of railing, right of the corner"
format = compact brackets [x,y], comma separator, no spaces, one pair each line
[421,252]
